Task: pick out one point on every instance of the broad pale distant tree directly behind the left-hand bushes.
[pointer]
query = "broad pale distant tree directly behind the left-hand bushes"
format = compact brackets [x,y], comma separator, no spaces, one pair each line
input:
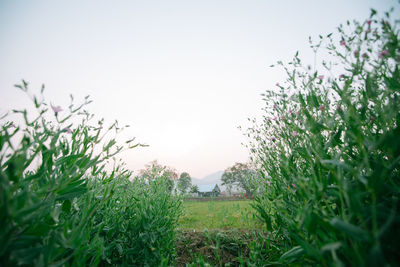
[154,170]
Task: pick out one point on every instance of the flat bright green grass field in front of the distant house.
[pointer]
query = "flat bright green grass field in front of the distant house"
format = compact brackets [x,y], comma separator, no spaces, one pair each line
[218,215]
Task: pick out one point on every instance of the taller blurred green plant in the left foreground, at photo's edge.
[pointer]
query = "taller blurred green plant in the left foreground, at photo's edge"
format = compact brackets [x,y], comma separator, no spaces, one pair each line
[34,199]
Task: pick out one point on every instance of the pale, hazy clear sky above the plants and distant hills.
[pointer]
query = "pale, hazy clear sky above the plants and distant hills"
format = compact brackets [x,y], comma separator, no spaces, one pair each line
[183,74]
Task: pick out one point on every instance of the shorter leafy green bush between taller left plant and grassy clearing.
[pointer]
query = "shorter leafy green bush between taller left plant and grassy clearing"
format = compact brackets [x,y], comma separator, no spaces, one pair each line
[138,222]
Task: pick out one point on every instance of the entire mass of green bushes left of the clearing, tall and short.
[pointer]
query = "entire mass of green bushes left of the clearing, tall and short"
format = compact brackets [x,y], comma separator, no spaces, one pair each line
[60,207]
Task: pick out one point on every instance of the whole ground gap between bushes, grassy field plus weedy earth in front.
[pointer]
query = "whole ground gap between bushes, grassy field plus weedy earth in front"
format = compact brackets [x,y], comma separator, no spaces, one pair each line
[218,231]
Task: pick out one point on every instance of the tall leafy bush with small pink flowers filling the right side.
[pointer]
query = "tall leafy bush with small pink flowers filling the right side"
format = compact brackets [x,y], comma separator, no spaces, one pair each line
[329,150]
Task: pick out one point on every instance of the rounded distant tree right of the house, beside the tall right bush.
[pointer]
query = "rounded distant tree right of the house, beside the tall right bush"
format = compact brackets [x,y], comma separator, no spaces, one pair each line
[241,175]
